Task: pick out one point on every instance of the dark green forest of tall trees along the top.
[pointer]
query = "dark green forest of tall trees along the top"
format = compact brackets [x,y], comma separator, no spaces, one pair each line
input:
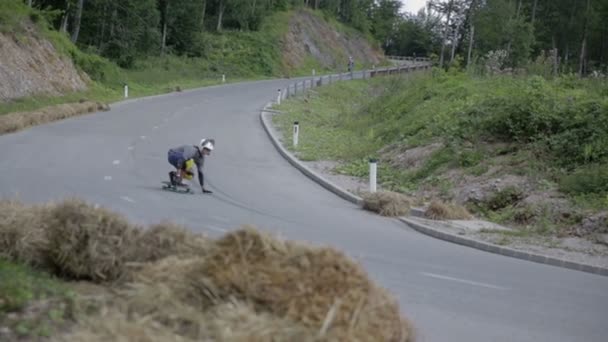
[569,35]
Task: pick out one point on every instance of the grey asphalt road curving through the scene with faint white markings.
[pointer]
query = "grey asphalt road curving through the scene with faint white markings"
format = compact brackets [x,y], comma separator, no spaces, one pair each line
[452,293]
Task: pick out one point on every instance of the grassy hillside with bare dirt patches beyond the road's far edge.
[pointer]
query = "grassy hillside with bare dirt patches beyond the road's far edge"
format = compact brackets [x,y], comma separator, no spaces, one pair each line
[46,68]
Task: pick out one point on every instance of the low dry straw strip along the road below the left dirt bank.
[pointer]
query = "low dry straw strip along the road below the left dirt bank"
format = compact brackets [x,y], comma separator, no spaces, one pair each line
[17,121]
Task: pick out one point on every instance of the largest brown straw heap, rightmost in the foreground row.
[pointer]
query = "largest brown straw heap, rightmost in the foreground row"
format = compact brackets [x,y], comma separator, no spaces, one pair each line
[318,287]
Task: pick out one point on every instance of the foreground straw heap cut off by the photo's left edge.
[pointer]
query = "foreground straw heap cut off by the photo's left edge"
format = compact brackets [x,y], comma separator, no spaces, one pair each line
[22,233]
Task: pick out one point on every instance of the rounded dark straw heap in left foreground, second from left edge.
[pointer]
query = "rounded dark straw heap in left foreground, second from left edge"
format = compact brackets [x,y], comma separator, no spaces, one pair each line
[88,242]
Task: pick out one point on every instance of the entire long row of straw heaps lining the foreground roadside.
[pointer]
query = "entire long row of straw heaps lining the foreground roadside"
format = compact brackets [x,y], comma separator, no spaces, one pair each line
[245,286]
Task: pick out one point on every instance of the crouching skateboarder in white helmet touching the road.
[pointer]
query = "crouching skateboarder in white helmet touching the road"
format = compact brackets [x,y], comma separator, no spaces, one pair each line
[185,157]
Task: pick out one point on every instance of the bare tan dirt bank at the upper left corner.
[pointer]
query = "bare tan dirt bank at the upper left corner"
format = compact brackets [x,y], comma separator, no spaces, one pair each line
[30,65]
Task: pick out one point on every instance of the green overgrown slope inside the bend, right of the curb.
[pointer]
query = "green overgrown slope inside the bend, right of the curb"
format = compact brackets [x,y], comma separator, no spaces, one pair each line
[525,151]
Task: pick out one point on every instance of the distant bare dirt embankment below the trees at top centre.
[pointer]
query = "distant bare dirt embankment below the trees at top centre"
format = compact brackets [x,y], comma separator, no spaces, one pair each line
[310,37]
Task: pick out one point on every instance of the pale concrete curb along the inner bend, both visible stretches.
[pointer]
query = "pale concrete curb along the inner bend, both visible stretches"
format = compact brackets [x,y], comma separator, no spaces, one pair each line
[416,212]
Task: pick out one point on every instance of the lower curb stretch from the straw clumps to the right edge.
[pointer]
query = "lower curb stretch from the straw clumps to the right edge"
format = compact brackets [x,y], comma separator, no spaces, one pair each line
[492,248]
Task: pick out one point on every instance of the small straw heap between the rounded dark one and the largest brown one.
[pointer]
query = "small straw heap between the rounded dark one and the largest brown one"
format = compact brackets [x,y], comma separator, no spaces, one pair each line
[165,239]
